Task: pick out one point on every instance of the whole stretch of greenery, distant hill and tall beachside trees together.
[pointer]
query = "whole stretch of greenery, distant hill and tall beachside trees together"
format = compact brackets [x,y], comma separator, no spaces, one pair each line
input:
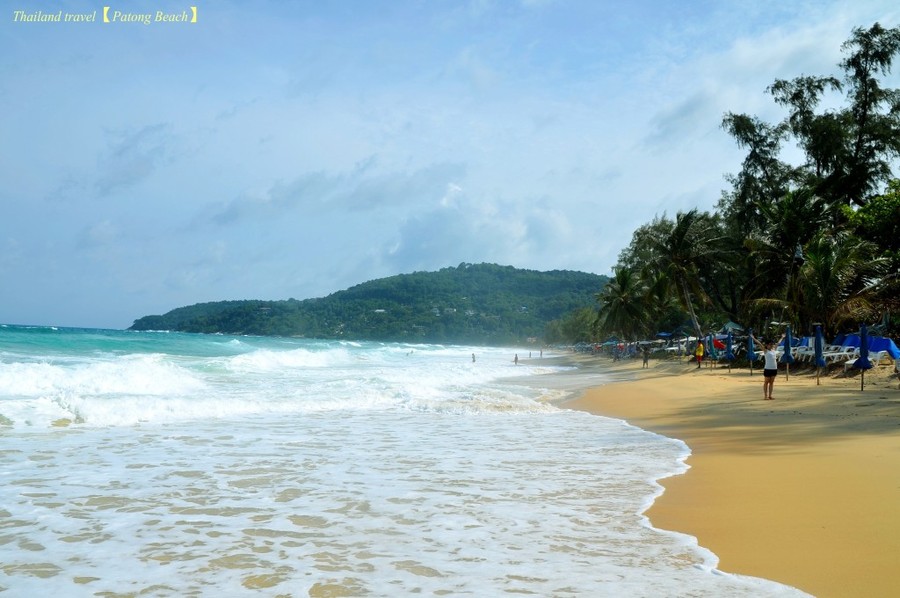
[811,241]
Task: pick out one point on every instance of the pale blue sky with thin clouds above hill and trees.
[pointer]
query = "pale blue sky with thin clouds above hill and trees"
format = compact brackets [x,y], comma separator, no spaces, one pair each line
[291,149]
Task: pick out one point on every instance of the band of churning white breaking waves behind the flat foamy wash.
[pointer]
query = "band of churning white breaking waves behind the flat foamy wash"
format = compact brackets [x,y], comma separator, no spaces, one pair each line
[123,389]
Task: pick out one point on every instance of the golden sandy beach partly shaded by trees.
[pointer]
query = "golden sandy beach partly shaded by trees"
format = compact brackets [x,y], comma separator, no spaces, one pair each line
[804,490]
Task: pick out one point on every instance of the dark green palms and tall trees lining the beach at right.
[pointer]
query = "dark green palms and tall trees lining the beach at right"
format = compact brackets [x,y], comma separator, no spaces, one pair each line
[813,241]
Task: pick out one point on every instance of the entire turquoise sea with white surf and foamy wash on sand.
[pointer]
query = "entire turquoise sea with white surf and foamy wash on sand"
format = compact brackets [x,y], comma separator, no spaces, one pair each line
[170,464]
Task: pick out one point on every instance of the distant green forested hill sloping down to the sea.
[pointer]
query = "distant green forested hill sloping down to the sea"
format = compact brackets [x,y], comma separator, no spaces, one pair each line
[471,304]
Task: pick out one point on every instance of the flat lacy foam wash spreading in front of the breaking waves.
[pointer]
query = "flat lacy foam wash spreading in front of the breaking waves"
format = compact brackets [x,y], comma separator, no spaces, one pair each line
[379,503]
